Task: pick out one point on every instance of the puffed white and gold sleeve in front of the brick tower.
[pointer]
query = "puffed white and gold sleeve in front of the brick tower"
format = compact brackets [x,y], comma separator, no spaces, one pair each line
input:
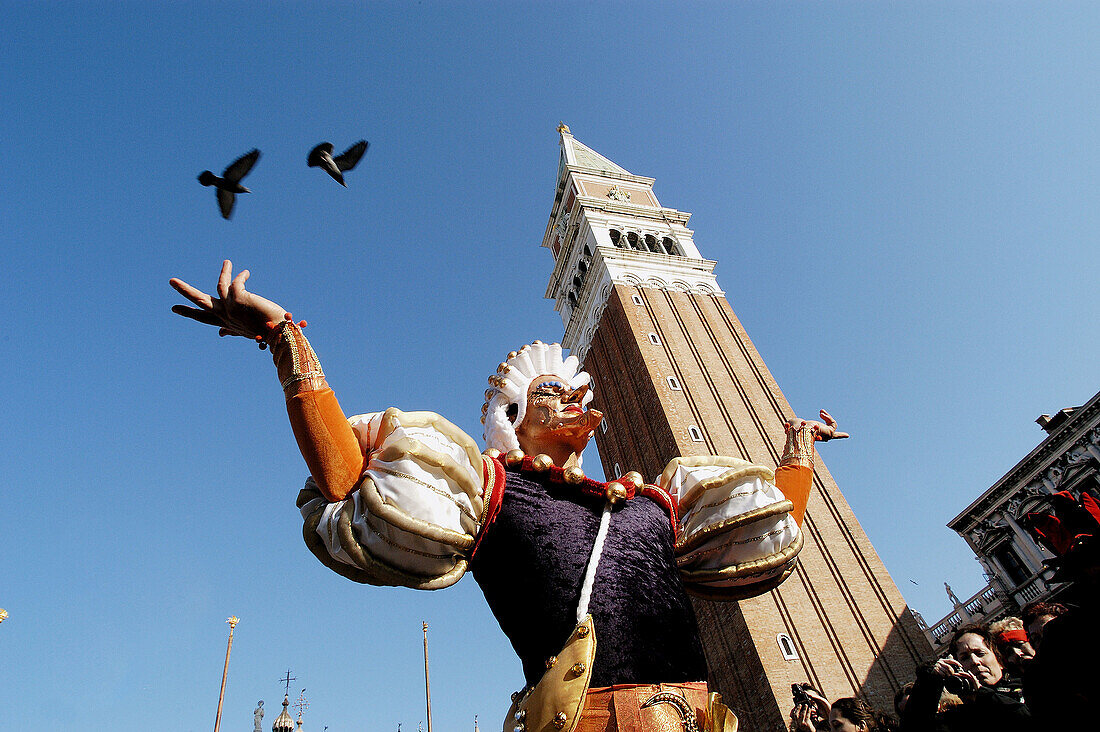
[736,537]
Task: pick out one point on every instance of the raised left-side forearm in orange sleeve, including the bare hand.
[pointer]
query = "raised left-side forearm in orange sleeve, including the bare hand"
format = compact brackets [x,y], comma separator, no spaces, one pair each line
[326,440]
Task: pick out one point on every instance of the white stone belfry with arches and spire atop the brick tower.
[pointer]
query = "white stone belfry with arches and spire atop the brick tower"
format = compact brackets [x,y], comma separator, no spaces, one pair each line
[608,227]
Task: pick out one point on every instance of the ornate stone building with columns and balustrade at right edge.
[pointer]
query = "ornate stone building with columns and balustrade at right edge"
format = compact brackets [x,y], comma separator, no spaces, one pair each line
[1068,460]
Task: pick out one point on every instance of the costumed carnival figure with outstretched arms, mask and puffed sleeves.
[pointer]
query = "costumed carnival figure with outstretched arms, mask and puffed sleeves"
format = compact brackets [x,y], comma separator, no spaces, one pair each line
[589,581]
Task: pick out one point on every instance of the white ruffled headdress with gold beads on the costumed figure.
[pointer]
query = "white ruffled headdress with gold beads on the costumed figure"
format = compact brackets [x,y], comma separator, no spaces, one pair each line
[509,387]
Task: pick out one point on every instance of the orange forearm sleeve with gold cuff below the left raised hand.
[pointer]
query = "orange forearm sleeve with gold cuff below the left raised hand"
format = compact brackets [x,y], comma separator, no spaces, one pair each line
[327,442]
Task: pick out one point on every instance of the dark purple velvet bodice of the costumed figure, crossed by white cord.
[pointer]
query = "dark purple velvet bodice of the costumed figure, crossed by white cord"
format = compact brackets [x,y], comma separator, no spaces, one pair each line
[531,566]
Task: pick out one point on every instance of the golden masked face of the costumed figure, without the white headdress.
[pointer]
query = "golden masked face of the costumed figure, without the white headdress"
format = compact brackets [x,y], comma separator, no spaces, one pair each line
[555,418]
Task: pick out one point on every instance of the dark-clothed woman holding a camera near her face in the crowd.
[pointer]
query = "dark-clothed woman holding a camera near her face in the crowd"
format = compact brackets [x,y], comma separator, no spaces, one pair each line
[992,700]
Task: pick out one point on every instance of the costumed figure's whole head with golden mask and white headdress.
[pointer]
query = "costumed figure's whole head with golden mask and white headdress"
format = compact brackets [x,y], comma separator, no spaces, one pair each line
[536,402]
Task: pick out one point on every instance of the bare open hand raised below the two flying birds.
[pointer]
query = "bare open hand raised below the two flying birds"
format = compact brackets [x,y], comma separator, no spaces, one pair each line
[236,312]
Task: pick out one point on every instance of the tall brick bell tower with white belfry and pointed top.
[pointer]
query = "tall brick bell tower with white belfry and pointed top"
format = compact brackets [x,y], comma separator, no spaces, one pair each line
[676,375]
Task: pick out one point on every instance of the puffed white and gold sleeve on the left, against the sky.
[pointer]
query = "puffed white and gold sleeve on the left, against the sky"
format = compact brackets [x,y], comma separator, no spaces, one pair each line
[415,514]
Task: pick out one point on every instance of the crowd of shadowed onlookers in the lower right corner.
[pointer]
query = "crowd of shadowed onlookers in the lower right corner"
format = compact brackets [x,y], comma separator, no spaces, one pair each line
[1036,672]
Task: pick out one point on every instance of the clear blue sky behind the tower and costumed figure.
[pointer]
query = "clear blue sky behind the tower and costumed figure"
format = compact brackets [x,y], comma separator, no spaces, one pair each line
[903,201]
